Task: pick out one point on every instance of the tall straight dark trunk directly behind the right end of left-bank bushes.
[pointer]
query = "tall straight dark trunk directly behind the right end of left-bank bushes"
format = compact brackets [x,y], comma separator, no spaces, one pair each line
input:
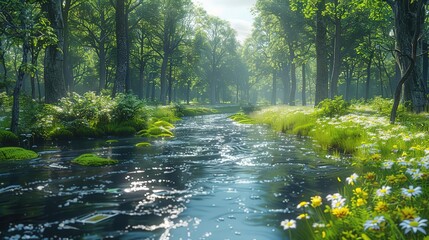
[121,45]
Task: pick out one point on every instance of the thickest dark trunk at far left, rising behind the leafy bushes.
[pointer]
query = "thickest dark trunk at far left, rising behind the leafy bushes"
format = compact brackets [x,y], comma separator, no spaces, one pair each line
[55,87]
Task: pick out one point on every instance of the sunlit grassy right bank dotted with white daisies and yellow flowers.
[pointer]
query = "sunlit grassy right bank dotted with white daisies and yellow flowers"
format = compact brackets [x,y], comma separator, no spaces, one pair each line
[387,196]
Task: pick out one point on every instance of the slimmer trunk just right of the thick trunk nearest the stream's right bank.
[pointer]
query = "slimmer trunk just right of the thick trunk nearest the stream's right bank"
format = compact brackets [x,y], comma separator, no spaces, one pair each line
[336,67]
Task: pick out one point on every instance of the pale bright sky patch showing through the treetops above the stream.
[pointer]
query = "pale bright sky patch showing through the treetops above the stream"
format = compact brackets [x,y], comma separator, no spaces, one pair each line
[237,12]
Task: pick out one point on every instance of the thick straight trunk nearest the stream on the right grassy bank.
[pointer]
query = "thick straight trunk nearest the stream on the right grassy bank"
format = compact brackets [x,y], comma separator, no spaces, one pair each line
[321,55]
